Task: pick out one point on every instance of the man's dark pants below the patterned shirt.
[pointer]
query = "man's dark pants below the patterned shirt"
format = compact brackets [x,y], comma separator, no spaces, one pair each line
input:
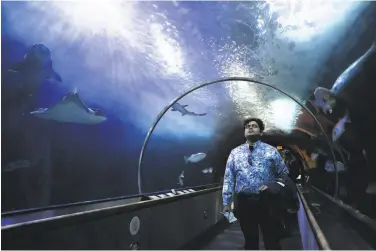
[253,211]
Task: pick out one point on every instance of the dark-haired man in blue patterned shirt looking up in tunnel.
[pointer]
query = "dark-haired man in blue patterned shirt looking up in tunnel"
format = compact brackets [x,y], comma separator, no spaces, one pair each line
[252,170]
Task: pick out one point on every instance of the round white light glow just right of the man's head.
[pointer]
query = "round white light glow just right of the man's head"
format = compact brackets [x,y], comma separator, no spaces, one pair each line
[283,113]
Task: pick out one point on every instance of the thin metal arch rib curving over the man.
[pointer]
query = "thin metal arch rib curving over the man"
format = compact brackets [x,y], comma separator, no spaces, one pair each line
[221,80]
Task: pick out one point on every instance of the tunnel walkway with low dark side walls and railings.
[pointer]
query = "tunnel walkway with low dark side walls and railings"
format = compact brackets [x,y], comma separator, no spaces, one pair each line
[140,223]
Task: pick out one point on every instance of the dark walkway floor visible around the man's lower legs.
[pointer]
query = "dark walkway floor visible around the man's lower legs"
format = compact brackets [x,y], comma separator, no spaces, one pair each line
[231,238]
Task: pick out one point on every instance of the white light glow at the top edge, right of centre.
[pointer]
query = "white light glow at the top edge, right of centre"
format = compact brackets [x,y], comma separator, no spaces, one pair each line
[302,19]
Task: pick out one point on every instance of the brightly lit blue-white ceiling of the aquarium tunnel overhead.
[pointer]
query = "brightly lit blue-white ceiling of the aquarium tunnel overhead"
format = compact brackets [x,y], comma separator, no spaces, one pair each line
[133,58]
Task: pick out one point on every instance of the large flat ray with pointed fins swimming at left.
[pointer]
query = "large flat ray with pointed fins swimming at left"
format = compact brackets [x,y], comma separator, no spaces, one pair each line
[71,109]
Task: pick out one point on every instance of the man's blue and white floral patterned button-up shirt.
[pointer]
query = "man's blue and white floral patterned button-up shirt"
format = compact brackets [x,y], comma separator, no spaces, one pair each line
[247,170]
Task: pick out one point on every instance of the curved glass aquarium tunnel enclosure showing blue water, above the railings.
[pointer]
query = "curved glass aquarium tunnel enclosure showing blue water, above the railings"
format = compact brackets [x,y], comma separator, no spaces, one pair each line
[128,67]
